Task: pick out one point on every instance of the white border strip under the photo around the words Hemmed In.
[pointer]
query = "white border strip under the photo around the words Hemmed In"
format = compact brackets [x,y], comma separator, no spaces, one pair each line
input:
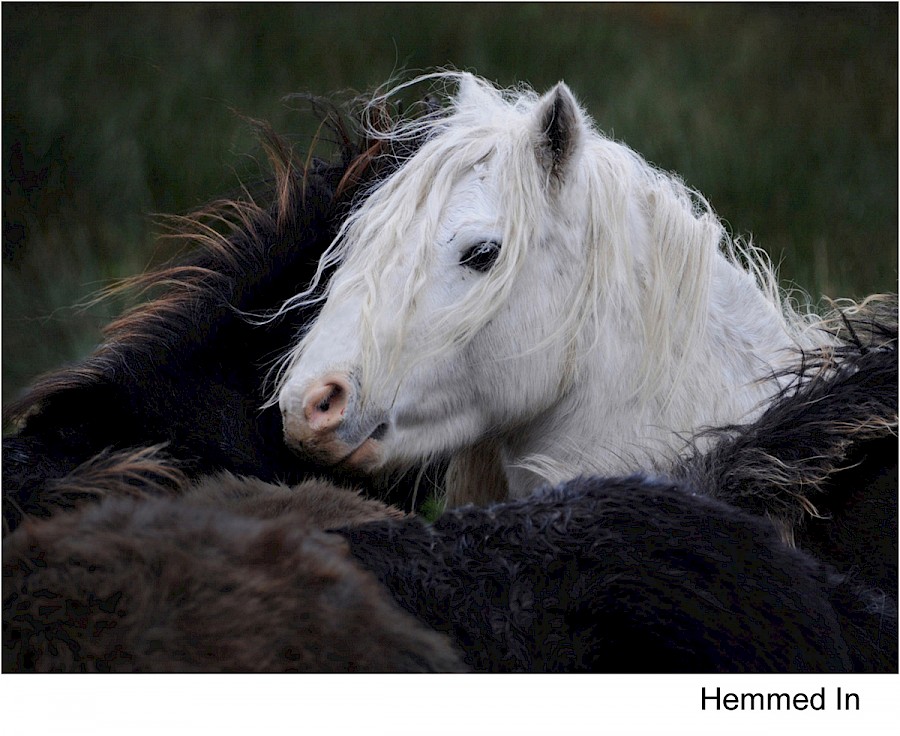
[461,705]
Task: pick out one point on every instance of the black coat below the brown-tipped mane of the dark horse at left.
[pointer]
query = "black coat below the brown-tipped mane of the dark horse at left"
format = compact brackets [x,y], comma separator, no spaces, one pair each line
[189,376]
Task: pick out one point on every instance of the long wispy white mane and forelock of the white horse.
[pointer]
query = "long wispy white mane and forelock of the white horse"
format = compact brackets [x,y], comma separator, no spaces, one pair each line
[666,296]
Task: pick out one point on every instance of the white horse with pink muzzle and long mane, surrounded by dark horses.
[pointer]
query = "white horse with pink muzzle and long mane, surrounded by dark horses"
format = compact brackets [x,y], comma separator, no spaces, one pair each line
[535,301]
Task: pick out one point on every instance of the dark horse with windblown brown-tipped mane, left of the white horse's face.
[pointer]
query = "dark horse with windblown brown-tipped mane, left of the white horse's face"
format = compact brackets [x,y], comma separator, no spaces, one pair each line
[186,370]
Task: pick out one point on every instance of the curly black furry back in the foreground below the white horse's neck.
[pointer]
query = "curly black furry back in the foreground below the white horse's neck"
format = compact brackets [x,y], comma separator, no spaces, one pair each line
[631,575]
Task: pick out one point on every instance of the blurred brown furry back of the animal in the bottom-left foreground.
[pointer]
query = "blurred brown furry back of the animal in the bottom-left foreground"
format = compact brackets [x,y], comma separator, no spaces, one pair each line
[160,585]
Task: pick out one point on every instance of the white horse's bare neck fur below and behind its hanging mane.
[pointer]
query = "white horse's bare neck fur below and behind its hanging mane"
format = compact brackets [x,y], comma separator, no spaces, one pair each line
[602,426]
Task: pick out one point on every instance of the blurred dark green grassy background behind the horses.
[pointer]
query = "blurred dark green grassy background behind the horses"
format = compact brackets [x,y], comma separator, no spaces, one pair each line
[785,117]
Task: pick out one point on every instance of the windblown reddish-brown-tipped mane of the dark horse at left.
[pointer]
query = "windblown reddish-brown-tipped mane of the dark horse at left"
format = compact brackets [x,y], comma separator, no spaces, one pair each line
[220,233]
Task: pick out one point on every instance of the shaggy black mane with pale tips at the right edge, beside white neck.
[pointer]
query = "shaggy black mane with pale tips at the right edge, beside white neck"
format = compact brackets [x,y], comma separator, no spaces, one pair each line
[821,461]
